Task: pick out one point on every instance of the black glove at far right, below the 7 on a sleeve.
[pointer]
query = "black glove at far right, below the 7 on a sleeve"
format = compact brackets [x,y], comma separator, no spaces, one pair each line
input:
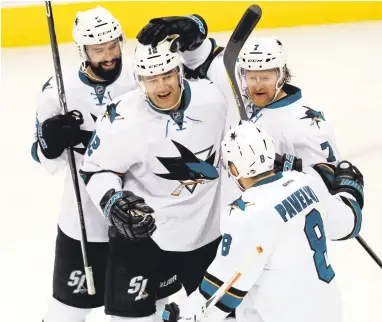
[343,178]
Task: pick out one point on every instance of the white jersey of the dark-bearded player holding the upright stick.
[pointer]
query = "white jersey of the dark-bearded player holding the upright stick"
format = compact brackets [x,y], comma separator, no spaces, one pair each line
[91,100]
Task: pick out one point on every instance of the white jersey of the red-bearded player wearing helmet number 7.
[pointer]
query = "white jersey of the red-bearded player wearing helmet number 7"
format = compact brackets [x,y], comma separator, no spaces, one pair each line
[298,128]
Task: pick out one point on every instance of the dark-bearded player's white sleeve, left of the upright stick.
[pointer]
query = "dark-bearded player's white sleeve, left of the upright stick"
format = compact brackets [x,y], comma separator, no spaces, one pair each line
[48,106]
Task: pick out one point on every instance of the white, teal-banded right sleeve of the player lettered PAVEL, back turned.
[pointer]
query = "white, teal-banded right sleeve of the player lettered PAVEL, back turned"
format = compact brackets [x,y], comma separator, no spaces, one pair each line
[343,216]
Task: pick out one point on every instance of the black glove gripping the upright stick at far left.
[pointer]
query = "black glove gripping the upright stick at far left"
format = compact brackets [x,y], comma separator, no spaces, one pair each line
[58,133]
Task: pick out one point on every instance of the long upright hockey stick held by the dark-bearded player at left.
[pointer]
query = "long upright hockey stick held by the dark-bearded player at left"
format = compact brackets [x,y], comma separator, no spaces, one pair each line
[70,152]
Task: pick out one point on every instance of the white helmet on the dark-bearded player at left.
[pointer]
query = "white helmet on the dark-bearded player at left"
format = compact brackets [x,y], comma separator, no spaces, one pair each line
[95,26]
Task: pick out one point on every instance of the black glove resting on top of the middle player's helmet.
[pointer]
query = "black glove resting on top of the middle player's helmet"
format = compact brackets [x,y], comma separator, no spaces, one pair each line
[192,31]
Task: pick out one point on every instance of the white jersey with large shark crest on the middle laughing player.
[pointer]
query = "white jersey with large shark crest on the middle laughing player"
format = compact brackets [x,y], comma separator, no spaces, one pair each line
[170,158]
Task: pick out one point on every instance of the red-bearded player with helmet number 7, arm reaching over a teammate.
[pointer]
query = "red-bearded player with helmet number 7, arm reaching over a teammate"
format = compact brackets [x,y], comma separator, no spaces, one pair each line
[298,128]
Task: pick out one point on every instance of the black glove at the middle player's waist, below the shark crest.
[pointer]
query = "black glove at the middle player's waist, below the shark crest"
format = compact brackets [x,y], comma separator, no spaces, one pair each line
[129,214]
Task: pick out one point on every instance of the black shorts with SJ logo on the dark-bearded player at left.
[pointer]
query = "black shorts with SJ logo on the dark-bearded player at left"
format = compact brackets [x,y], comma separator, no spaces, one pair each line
[69,283]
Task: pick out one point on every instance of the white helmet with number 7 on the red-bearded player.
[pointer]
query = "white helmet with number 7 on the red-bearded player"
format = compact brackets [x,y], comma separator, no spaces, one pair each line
[262,53]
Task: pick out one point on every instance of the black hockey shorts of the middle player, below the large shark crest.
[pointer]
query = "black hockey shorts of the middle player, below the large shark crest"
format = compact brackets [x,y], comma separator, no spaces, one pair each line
[140,273]
